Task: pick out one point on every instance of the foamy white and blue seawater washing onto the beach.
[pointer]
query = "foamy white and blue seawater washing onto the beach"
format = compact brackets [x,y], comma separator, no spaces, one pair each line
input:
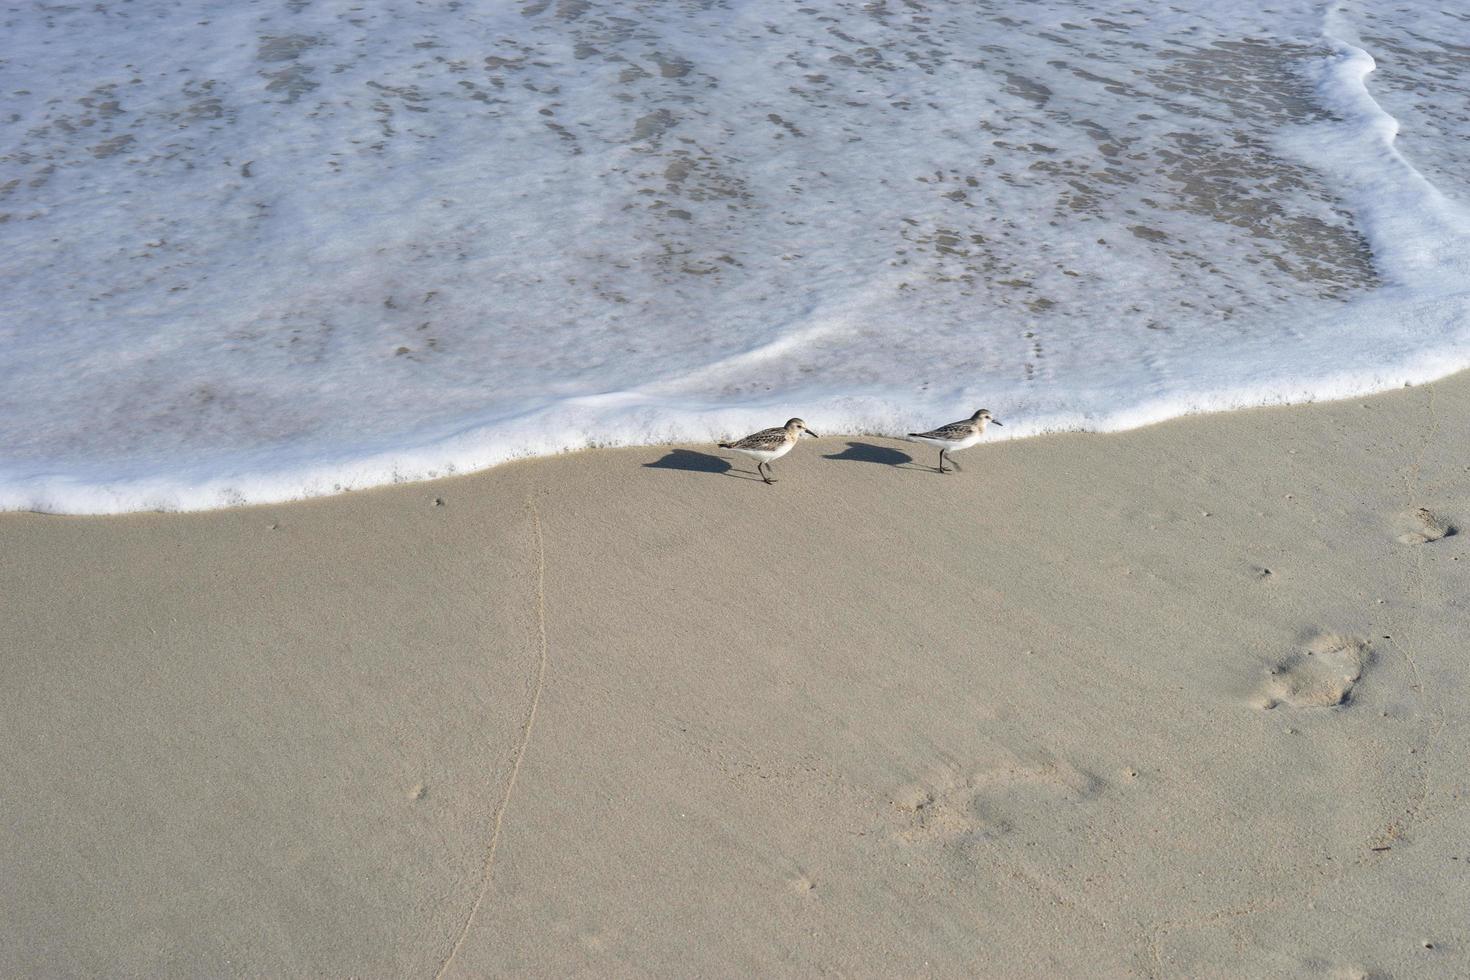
[258,251]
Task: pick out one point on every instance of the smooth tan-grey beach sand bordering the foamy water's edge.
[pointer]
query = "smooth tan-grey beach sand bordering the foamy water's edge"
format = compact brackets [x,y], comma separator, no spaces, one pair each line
[1183,702]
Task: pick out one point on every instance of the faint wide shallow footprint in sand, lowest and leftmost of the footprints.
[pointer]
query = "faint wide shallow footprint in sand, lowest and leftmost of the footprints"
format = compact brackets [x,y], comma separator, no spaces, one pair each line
[989,803]
